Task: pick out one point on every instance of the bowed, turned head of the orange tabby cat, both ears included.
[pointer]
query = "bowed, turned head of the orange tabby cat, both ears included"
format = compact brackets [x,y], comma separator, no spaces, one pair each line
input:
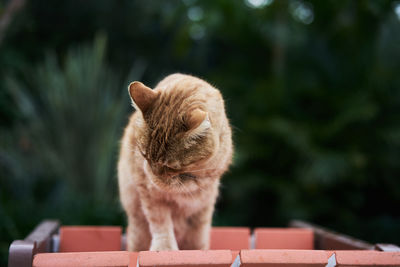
[174,133]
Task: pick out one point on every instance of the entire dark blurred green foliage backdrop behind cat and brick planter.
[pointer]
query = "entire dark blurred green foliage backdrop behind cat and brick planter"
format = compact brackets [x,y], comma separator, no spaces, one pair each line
[311,88]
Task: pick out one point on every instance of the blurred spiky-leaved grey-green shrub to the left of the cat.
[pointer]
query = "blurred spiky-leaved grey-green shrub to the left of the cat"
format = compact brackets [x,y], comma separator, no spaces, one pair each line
[59,159]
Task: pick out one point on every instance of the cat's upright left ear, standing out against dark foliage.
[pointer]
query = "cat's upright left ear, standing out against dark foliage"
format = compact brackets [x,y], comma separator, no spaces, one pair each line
[142,96]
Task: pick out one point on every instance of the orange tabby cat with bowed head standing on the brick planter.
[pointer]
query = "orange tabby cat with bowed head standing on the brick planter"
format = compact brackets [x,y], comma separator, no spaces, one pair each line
[173,153]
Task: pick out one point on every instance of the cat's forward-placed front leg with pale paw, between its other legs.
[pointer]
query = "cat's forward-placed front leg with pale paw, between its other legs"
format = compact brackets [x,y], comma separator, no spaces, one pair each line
[161,227]
